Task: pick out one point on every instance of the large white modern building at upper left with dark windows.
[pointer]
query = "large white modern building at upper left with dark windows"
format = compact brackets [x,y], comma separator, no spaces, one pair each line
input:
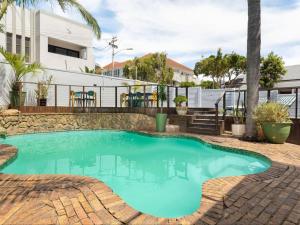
[53,41]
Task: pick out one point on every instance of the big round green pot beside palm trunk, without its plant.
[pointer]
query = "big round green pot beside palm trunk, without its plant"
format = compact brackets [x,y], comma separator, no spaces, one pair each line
[277,133]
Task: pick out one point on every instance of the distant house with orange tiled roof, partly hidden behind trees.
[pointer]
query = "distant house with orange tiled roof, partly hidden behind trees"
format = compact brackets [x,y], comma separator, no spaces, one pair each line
[181,72]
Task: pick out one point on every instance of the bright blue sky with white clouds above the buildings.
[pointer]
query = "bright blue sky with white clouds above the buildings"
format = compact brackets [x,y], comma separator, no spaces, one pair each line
[188,30]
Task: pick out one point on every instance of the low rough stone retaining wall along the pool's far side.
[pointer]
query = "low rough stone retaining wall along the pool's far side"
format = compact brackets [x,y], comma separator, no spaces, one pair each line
[29,123]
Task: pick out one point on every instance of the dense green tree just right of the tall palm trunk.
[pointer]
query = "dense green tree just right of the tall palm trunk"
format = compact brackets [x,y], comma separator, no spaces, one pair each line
[272,70]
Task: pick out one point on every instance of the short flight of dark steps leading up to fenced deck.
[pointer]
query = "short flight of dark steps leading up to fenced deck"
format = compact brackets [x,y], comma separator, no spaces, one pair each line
[205,121]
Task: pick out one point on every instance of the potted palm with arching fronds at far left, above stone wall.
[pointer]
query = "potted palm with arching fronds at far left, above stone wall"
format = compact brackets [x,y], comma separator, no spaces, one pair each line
[20,69]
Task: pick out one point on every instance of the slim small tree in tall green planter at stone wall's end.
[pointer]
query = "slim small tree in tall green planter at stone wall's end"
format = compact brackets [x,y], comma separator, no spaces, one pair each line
[161,118]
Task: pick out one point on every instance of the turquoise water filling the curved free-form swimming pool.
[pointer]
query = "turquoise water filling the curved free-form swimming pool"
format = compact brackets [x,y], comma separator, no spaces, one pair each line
[159,176]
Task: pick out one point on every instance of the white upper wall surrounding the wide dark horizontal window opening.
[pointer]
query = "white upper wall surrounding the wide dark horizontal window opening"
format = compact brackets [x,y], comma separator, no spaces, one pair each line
[56,27]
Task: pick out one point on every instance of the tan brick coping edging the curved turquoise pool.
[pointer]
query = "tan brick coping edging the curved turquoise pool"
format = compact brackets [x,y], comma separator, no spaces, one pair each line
[214,191]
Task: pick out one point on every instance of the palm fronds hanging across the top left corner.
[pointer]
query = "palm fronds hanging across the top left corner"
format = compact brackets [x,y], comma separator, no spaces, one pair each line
[64,5]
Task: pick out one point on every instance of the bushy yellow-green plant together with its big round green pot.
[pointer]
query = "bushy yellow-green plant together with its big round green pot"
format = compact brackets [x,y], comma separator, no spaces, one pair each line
[275,121]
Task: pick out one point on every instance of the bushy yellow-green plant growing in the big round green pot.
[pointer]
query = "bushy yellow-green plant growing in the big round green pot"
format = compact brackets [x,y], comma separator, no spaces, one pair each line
[272,112]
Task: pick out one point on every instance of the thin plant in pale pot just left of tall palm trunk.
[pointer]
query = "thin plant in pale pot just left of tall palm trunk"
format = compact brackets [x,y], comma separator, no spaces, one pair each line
[238,128]
